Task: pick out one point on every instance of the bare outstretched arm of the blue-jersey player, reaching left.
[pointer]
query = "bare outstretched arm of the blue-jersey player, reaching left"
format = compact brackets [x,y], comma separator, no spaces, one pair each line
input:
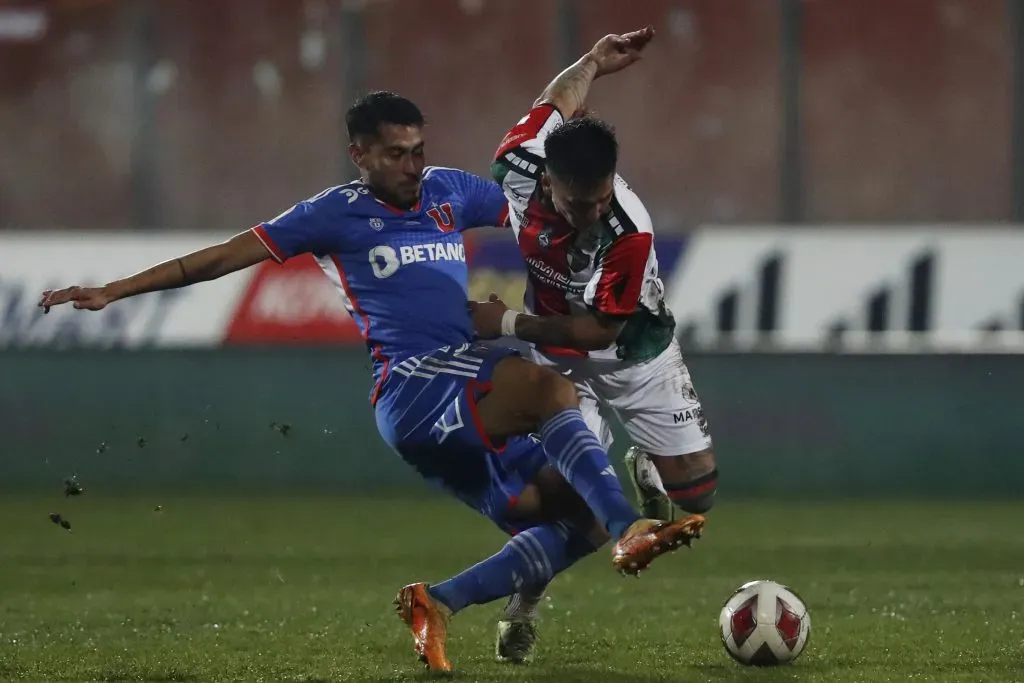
[212,263]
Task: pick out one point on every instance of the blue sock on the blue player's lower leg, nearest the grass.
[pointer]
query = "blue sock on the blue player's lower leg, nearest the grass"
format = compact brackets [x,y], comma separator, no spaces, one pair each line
[530,559]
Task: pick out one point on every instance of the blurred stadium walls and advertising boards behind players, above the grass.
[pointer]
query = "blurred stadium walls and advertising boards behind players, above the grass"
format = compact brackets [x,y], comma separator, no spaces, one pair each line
[835,187]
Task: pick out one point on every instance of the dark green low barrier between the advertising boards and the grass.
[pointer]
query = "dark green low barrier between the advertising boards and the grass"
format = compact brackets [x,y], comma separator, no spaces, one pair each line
[786,425]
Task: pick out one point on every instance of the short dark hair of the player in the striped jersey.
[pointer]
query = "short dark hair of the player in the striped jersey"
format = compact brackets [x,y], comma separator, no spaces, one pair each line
[582,151]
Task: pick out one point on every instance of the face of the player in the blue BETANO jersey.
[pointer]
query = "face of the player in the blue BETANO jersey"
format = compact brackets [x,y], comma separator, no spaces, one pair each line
[393,164]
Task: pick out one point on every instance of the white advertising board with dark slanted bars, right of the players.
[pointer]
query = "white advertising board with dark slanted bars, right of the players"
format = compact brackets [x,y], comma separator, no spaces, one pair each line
[806,289]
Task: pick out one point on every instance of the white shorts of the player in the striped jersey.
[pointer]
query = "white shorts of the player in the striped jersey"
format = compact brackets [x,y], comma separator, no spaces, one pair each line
[655,400]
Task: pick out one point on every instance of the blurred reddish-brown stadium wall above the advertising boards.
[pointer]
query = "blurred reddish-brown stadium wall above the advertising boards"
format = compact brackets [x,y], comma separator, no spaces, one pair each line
[887,92]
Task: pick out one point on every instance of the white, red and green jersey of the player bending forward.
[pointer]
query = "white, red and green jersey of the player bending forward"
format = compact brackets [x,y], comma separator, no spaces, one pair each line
[611,269]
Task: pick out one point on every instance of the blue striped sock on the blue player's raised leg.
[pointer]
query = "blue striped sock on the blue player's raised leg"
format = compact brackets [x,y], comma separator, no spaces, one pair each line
[578,454]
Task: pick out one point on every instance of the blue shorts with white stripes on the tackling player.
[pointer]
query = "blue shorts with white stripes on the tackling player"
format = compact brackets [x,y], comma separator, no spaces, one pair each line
[428,414]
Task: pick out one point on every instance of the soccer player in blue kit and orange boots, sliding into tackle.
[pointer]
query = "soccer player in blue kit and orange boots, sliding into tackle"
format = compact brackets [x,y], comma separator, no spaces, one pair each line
[459,412]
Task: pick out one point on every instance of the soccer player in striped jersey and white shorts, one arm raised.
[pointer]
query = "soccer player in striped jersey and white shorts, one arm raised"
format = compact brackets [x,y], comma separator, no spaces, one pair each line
[595,307]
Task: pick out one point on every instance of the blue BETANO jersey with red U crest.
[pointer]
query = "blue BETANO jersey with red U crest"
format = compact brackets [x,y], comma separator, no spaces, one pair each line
[402,275]
